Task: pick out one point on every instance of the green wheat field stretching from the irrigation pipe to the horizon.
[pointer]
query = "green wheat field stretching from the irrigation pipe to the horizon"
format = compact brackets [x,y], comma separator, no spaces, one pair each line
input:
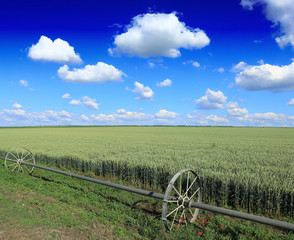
[248,167]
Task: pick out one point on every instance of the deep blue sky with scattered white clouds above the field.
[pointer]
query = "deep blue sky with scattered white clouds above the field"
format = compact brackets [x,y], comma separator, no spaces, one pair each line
[228,63]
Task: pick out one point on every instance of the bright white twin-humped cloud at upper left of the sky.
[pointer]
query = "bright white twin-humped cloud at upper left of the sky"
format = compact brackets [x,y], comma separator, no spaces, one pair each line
[54,51]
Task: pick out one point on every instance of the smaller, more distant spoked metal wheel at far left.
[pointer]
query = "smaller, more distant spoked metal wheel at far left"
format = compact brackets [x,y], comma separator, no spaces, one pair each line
[16,157]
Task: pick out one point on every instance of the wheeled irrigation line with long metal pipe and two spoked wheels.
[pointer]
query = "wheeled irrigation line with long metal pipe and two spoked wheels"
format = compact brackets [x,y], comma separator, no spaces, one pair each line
[181,201]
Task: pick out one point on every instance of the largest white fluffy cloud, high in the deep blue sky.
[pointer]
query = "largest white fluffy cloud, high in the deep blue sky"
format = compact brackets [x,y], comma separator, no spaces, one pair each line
[158,34]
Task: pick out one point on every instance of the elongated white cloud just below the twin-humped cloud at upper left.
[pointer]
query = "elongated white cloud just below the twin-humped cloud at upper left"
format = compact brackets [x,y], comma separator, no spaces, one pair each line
[100,73]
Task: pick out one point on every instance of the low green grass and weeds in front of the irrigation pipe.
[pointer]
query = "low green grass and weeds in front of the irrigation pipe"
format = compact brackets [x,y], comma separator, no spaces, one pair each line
[46,205]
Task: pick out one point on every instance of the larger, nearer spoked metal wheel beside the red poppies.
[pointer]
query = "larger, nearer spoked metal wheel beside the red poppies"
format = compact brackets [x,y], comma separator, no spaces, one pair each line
[182,190]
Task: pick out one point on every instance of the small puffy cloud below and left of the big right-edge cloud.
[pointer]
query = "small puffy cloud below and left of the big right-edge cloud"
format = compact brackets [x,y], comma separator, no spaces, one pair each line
[211,100]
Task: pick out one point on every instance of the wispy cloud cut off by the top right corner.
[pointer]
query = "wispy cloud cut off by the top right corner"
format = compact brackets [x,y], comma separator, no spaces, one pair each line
[281,13]
